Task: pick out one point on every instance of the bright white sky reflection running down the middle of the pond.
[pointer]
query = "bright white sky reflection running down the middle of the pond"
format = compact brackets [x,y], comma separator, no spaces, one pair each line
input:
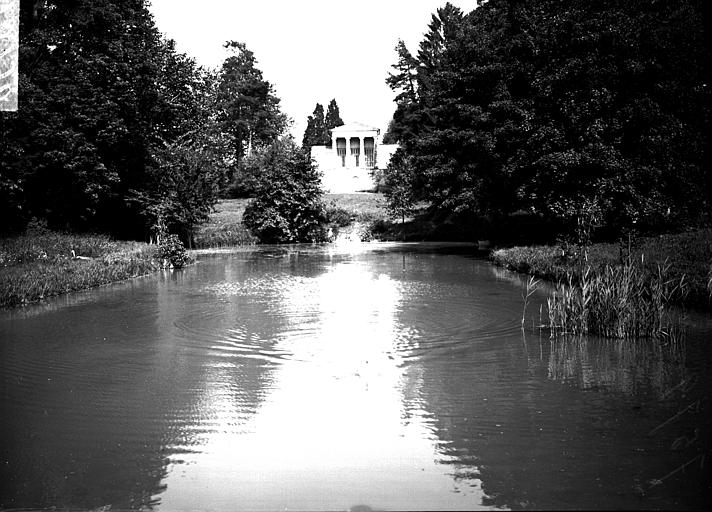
[334,412]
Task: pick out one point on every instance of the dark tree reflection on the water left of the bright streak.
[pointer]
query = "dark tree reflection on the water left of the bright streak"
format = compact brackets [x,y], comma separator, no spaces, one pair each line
[101,396]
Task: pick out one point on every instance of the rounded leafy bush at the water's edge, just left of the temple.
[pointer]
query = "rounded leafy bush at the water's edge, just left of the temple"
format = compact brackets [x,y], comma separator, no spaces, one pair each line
[288,205]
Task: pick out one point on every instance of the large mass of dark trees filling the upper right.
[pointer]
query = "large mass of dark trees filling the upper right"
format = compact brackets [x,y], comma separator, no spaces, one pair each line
[592,113]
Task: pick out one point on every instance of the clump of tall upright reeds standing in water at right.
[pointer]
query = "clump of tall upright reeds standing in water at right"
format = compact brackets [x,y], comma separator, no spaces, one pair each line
[618,301]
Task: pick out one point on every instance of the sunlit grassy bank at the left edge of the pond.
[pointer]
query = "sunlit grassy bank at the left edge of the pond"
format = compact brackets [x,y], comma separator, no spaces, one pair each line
[40,264]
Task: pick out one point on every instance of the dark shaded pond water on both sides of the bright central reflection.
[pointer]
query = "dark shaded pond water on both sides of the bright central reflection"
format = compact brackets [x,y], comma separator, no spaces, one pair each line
[101,397]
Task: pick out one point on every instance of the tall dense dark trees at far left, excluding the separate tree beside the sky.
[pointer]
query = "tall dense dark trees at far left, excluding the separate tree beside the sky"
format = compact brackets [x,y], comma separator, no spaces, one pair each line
[102,99]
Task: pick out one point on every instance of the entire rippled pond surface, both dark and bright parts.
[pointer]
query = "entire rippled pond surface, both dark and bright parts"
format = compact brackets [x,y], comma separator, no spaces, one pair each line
[374,376]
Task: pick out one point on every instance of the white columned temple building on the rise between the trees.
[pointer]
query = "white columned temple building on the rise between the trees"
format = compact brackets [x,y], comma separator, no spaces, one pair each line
[356,151]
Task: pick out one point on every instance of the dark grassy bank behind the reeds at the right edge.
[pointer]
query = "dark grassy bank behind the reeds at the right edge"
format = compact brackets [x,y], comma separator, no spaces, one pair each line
[685,254]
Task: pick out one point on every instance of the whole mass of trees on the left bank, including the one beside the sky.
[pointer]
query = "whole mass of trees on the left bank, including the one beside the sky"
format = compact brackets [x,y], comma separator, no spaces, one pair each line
[116,130]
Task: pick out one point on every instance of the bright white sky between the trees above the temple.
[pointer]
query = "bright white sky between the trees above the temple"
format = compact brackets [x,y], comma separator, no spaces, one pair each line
[310,50]
